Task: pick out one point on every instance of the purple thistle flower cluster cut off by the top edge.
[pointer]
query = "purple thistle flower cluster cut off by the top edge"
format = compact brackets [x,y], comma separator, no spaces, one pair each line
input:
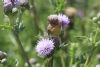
[10,4]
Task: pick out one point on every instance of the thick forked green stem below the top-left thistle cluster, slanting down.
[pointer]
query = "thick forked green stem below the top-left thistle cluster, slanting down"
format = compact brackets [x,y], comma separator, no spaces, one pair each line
[16,36]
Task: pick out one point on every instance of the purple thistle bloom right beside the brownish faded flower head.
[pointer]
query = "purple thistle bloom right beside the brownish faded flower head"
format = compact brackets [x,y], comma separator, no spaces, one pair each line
[63,19]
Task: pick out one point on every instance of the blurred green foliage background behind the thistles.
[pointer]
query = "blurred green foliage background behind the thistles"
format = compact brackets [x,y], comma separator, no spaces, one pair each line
[79,45]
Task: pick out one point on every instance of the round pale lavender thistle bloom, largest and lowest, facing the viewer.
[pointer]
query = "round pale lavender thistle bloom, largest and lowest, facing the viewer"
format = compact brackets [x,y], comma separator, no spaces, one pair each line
[45,47]
